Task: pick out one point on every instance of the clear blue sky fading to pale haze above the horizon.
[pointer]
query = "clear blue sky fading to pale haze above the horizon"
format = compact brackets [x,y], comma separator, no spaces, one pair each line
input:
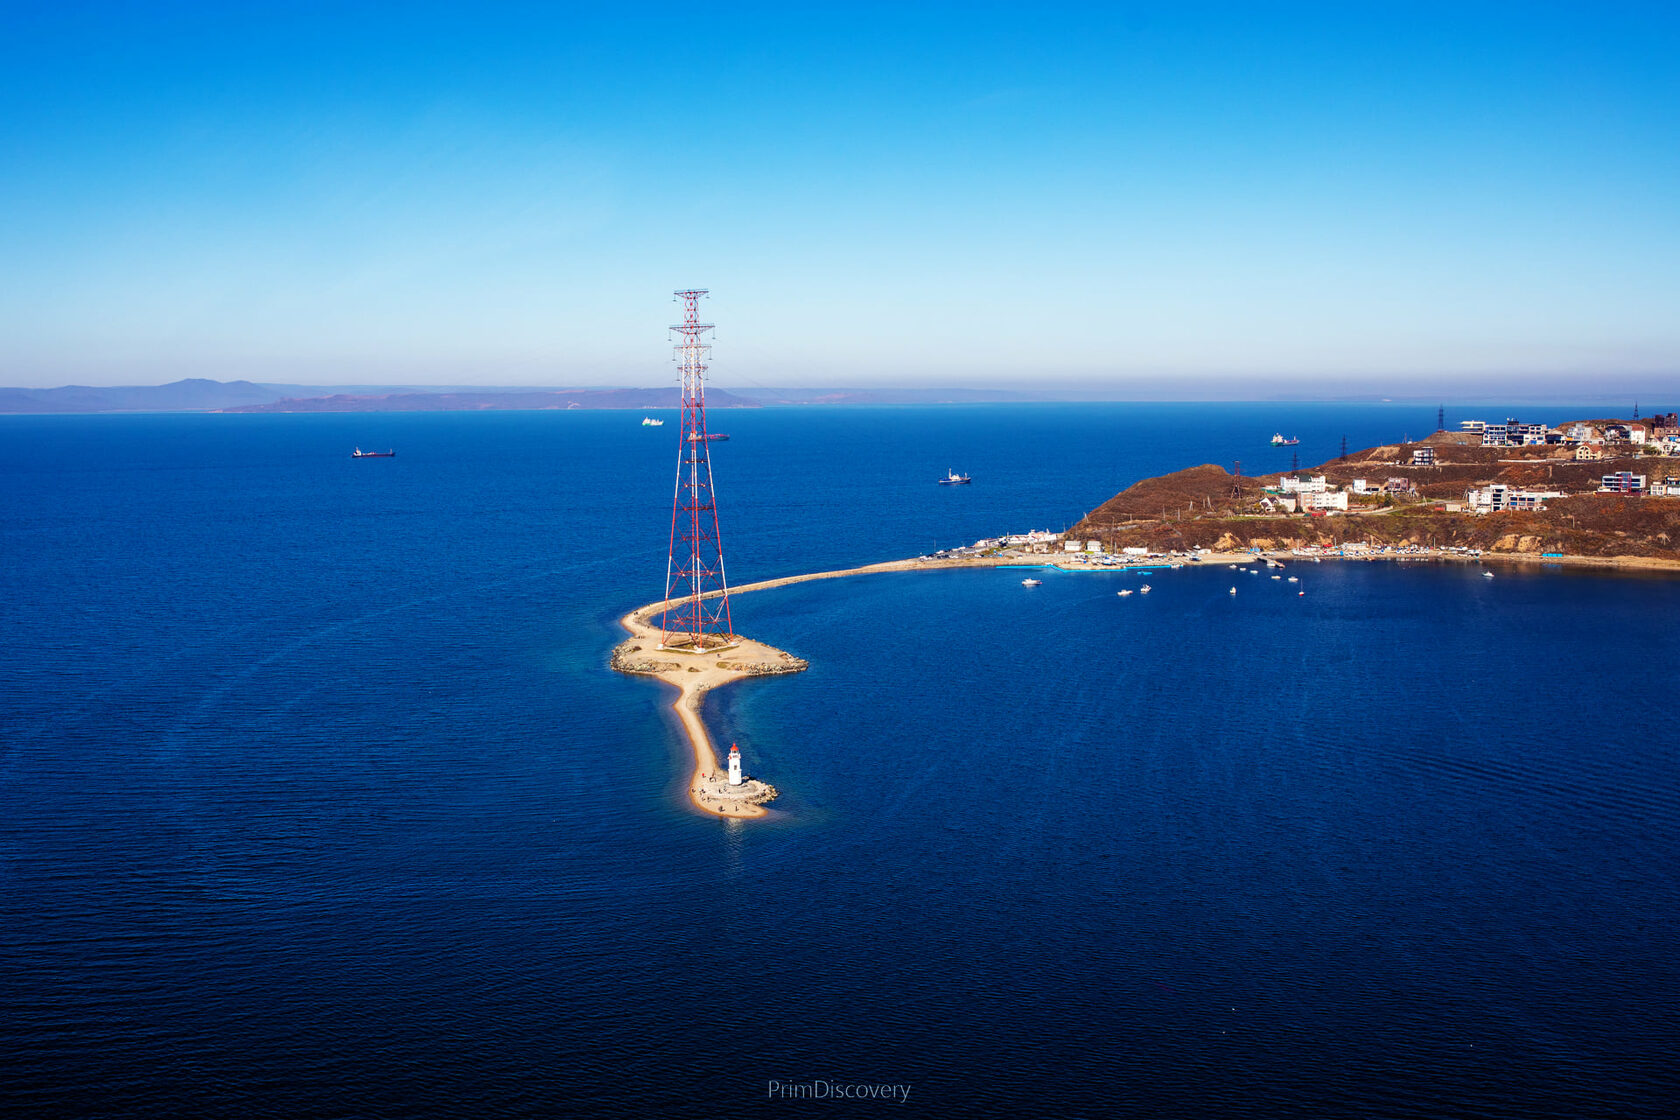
[969,194]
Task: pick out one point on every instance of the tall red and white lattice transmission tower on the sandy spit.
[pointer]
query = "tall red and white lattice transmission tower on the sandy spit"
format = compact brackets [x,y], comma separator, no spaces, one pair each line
[695,575]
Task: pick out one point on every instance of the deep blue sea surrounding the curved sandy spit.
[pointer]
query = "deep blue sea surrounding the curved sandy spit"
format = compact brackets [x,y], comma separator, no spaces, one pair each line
[318,798]
